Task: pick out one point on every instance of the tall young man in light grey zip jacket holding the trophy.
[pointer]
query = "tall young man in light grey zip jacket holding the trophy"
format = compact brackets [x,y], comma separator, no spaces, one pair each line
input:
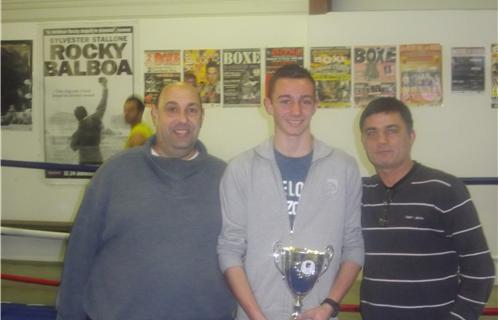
[297,190]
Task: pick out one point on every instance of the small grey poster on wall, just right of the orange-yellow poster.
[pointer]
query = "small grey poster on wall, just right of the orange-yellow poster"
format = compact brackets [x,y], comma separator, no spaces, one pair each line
[467,69]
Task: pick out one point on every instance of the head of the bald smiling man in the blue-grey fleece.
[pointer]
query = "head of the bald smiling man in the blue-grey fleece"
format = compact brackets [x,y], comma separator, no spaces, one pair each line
[178,119]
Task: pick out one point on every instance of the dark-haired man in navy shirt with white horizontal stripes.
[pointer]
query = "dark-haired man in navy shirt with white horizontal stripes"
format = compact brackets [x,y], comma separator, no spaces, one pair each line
[426,256]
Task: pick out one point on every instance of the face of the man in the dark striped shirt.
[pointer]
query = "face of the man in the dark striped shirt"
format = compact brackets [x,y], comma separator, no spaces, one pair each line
[387,140]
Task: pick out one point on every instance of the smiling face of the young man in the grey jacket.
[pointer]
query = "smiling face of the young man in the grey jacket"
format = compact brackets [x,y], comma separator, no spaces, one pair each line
[292,105]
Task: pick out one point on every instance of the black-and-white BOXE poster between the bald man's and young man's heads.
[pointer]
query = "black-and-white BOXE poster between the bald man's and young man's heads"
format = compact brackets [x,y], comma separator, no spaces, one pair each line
[242,78]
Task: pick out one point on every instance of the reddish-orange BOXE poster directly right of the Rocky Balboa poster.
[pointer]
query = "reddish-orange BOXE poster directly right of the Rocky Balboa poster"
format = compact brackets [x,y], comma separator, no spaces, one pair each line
[162,67]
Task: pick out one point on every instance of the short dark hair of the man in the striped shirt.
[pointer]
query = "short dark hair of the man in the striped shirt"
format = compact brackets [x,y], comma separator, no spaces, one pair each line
[387,105]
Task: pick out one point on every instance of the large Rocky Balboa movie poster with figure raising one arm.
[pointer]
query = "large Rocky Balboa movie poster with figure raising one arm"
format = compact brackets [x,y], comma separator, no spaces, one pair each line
[88,73]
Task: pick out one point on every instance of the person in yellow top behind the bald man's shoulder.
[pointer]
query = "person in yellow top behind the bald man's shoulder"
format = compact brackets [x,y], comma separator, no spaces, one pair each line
[133,111]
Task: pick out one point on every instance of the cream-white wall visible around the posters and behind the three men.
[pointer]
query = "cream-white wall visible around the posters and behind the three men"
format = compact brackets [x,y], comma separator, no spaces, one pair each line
[460,136]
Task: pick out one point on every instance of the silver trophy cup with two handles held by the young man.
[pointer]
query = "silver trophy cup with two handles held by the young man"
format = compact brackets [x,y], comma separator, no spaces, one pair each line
[301,268]
